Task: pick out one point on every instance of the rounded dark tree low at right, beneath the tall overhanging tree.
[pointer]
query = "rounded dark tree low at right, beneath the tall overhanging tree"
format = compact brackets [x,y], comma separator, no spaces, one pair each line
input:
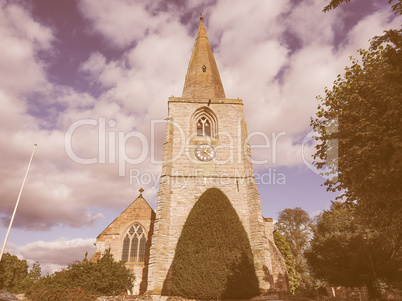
[342,255]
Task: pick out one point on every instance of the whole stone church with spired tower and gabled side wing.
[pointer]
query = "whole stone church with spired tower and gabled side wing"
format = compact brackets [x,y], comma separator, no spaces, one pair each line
[205,148]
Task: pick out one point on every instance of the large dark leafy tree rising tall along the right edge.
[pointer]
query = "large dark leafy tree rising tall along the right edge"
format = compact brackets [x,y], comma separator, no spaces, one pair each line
[359,121]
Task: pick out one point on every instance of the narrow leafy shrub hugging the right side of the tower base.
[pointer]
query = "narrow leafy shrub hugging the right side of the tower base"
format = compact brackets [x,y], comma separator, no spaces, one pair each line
[293,275]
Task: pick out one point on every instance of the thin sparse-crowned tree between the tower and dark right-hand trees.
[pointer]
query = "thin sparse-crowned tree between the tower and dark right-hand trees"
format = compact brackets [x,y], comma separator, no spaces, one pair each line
[295,226]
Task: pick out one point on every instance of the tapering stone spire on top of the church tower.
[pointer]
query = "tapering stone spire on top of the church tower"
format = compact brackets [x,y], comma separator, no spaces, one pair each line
[202,79]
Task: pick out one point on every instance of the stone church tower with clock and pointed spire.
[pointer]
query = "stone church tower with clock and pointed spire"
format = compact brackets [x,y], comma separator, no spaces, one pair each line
[206,146]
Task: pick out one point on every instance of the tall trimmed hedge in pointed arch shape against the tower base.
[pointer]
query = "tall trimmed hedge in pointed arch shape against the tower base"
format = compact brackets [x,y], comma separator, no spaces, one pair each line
[213,258]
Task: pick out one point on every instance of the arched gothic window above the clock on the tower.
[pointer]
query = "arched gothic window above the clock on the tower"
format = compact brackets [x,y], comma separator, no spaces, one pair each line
[205,122]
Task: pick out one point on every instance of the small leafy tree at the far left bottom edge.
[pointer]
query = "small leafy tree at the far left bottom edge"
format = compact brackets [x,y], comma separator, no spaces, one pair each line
[13,273]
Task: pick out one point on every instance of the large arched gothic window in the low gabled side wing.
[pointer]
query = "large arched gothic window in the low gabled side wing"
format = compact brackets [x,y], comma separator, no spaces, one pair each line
[134,244]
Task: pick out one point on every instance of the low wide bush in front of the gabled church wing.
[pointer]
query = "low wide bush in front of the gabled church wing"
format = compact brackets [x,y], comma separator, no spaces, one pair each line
[105,277]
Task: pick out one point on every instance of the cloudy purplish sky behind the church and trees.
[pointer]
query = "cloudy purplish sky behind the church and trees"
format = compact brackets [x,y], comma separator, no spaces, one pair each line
[89,81]
